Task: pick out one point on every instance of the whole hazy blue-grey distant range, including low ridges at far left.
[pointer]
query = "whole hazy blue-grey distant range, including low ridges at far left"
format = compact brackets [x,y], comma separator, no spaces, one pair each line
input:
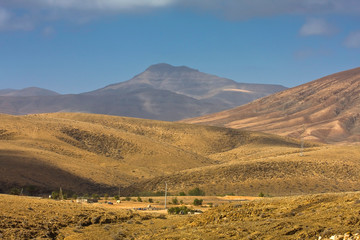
[162,92]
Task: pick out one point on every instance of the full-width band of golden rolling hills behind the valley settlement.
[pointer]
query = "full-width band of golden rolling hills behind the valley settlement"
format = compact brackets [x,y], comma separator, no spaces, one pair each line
[88,153]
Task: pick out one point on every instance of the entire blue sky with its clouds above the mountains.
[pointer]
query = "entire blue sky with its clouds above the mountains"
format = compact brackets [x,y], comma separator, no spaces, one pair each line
[73,46]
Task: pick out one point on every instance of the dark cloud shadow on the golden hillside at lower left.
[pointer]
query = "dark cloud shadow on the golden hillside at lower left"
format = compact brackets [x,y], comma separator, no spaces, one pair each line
[19,170]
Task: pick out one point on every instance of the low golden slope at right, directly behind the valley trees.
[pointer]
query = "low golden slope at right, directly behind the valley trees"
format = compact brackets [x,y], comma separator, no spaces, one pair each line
[271,170]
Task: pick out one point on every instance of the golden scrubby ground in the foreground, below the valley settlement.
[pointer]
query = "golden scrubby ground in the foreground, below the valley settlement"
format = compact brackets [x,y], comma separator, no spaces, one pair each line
[297,217]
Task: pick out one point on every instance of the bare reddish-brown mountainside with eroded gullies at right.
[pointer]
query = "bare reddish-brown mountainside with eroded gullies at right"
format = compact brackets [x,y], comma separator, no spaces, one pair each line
[325,110]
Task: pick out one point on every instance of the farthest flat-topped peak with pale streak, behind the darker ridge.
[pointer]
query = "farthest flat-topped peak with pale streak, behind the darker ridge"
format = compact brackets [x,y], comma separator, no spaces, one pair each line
[220,92]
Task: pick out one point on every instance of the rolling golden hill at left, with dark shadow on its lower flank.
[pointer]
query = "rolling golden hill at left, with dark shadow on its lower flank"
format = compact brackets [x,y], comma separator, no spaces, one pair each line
[87,151]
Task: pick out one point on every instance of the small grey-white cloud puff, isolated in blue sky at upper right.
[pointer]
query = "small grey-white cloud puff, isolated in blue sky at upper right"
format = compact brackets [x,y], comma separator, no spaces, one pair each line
[316,26]
